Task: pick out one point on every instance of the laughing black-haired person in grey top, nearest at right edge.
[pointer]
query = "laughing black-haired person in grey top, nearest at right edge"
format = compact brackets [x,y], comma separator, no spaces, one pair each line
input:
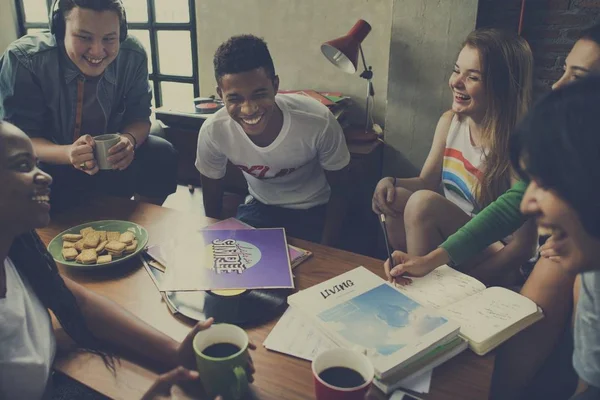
[557,147]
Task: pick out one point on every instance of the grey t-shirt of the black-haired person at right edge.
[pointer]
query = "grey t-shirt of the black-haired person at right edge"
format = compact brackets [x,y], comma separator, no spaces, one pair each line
[586,357]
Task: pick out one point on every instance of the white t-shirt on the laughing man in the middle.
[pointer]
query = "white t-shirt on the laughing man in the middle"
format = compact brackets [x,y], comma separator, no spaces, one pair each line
[290,171]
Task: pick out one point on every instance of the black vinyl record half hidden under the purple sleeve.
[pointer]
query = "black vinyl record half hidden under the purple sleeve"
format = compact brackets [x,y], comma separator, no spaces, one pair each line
[246,307]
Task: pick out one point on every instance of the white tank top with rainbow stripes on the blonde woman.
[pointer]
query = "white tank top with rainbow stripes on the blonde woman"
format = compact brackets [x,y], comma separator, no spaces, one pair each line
[462,167]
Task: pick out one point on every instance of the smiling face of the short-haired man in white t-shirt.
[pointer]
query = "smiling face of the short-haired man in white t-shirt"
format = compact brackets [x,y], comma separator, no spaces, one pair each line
[249,98]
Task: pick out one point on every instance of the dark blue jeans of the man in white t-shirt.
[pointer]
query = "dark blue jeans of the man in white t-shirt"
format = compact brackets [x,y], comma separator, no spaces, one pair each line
[302,224]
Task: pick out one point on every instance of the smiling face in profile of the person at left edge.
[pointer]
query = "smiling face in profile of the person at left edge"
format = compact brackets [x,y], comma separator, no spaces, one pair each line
[24,198]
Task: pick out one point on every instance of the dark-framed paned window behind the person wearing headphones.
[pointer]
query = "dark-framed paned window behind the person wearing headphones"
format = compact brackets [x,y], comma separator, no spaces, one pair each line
[166,28]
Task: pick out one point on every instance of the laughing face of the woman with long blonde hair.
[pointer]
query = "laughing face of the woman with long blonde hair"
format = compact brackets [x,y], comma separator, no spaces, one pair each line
[466,82]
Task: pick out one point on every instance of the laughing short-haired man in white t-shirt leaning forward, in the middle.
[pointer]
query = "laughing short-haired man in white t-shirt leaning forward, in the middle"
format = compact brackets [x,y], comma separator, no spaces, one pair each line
[290,148]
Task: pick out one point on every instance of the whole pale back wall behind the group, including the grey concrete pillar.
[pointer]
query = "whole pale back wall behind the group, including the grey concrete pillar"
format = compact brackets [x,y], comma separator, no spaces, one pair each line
[412,48]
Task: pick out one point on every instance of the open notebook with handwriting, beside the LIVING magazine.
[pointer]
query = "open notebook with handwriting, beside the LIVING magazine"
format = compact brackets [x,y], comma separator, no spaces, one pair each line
[487,317]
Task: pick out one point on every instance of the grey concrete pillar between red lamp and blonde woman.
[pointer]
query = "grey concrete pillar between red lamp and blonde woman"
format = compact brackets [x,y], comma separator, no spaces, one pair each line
[426,38]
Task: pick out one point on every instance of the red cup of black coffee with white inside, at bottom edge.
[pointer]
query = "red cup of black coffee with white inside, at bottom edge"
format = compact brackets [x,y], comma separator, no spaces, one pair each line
[342,374]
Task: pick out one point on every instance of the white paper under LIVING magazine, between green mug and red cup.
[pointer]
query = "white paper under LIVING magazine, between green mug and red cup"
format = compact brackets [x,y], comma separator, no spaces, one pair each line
[297,336]
